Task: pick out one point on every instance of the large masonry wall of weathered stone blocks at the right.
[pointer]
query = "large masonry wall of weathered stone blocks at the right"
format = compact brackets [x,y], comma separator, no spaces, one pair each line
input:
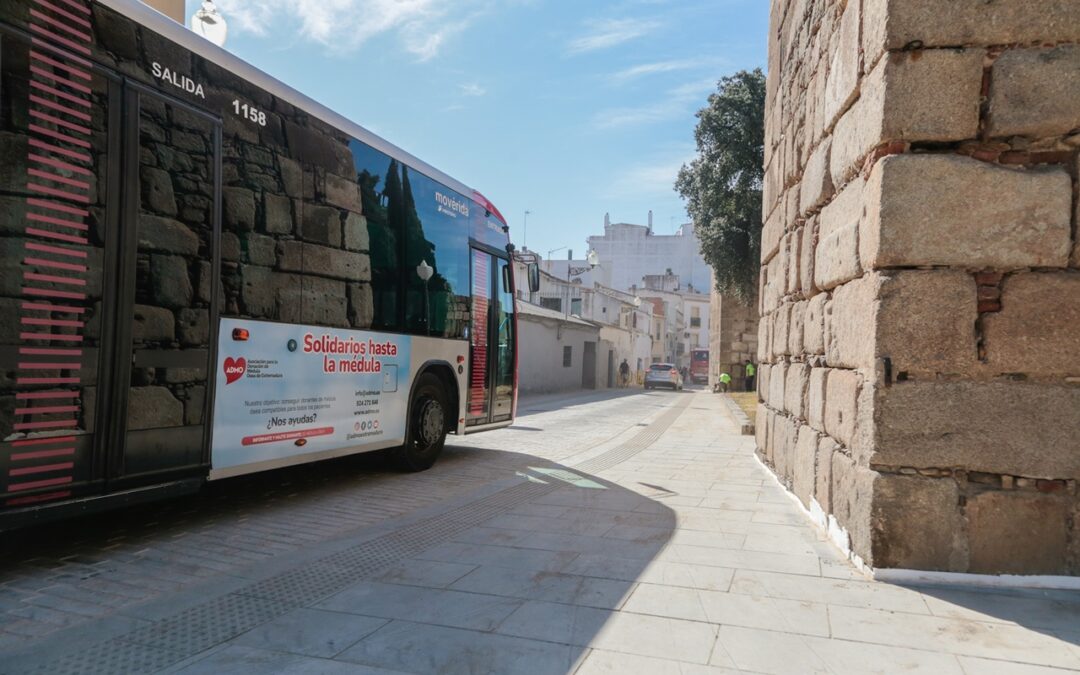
[921,278]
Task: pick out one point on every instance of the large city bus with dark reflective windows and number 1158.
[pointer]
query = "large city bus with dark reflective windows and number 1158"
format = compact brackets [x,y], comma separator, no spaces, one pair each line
[207,274]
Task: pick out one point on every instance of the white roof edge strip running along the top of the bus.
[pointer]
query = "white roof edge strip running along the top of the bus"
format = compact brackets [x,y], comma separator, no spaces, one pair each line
[161,24]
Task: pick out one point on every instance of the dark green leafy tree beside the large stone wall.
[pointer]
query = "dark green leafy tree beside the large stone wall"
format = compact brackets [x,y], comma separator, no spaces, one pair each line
[723,186]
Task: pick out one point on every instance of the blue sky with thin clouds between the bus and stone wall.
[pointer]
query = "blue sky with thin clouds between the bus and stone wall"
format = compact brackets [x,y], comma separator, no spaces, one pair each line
[565,109]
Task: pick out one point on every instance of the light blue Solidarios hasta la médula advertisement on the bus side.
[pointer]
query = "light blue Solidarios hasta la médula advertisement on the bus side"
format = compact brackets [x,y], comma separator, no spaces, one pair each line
[291,390]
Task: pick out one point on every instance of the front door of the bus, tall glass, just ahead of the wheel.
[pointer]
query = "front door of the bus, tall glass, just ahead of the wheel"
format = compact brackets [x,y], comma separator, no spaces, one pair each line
[492,341]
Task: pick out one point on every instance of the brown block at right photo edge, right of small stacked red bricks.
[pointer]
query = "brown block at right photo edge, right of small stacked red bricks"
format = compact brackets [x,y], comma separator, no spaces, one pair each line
[1038,330]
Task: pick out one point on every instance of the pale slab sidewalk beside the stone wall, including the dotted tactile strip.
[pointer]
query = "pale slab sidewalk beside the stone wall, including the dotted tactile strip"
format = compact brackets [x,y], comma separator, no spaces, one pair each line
[668,549]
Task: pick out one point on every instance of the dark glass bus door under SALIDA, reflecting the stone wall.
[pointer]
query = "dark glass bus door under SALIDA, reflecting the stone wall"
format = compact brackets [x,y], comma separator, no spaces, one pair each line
[167,306]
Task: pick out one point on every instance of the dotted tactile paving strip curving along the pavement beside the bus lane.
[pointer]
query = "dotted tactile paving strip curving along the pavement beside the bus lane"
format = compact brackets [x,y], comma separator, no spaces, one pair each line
[173,640]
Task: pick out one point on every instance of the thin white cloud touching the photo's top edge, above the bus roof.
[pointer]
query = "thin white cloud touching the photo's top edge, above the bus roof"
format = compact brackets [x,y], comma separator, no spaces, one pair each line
[423,26]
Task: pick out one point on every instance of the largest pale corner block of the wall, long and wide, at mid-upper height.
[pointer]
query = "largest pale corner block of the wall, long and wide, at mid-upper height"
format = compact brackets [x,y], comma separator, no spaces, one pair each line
[954,211]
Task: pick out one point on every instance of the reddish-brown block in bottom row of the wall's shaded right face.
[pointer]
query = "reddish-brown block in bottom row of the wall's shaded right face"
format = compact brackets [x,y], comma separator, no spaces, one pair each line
[1018,533]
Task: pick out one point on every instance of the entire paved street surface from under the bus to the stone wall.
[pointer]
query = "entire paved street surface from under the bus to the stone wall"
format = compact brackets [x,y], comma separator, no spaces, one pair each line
[610,533]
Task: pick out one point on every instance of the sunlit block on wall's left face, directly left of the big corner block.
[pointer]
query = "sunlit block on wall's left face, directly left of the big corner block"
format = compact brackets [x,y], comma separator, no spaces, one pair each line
[836,258]
